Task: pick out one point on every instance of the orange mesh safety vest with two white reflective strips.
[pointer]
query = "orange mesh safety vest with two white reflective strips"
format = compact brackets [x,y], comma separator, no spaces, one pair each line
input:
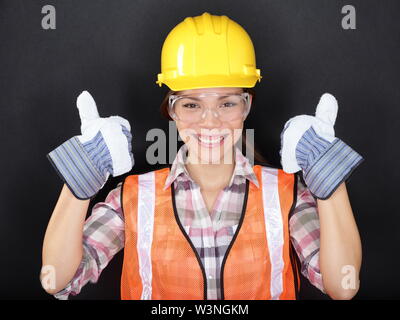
[161,263]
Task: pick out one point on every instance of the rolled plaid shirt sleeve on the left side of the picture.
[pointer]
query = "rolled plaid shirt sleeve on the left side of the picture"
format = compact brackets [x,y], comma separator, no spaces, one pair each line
[103,237]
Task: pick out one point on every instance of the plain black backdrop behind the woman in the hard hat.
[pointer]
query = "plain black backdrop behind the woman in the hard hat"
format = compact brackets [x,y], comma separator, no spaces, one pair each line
[112,49]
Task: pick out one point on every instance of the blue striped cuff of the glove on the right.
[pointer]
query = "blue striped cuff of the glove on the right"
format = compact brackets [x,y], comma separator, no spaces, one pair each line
[325,164]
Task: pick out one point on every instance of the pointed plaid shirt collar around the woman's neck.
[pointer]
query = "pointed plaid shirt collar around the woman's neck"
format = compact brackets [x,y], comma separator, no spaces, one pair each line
[242,168]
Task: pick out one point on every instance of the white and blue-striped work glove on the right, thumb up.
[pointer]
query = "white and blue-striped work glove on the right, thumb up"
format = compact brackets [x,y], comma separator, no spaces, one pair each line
[309,144]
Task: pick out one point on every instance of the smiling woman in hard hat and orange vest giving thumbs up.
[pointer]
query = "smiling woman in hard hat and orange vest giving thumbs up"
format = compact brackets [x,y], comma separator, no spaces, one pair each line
[211,226]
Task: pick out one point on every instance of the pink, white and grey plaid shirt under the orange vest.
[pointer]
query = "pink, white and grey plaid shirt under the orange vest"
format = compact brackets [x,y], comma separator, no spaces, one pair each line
[210,232]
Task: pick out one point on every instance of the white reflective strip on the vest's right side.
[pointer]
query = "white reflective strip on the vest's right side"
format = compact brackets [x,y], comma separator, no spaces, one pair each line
[274,228]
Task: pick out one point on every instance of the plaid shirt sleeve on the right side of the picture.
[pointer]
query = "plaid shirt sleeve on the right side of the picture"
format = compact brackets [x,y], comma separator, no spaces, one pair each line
[305,234]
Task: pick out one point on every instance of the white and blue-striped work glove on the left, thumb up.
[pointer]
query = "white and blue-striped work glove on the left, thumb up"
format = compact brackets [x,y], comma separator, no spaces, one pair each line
[86,161]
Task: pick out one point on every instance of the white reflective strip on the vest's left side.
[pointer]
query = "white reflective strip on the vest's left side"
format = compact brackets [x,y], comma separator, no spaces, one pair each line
[145,223]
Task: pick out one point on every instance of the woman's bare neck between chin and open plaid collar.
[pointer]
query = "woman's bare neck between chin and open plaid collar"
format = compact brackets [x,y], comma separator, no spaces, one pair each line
[211,176]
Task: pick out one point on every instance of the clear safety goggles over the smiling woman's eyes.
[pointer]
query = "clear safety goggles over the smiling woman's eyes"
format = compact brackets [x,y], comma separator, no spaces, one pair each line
[193,108]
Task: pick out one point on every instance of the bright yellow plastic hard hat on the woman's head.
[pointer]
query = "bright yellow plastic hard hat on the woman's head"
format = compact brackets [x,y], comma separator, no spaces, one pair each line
[208,51]
